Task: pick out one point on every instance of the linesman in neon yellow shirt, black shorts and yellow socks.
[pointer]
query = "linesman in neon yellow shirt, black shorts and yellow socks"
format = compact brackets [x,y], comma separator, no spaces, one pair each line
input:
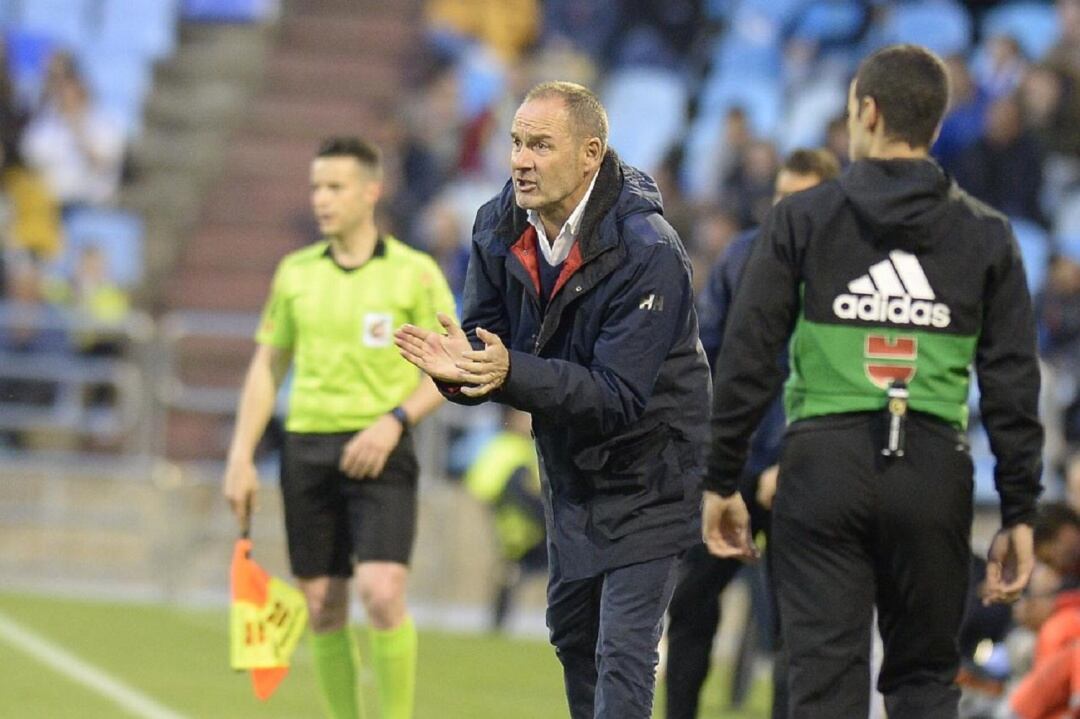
[349,469]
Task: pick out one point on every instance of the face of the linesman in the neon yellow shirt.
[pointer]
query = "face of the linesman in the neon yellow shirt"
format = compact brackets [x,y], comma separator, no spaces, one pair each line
[343,195]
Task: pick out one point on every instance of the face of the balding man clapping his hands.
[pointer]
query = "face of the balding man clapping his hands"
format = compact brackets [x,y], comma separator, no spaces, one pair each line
[550,165]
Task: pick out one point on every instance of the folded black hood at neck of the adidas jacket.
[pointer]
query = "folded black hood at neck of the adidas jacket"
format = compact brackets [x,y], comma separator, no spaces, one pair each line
[898,199]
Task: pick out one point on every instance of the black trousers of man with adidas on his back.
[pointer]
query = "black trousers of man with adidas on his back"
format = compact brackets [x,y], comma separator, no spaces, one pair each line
[853,528]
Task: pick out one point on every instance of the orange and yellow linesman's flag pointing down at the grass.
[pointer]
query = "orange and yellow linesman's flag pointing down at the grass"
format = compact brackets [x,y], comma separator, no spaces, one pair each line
[266,621]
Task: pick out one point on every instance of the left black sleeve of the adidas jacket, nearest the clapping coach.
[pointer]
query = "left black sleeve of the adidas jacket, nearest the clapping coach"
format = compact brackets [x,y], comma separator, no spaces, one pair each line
[749,374]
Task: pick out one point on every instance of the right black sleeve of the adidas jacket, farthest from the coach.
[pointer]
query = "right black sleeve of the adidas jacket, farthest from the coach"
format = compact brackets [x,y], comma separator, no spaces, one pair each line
[1008,371]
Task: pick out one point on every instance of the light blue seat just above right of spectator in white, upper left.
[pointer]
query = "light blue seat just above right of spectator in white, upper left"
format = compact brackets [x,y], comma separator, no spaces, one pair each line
[119,84]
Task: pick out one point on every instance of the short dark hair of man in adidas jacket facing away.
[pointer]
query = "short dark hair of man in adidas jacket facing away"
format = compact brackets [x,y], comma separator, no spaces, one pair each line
[911,87]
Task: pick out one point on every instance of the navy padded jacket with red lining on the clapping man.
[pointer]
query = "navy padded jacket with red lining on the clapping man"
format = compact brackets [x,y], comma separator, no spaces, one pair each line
[612,372]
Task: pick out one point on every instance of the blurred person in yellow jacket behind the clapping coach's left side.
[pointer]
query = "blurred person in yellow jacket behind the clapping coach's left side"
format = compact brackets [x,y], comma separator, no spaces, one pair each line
[506,476]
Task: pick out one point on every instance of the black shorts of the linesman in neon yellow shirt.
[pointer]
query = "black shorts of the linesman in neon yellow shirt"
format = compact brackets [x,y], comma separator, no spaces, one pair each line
[333,522]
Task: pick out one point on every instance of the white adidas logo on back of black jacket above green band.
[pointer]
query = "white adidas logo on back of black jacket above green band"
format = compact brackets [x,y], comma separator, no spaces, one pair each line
[895,291]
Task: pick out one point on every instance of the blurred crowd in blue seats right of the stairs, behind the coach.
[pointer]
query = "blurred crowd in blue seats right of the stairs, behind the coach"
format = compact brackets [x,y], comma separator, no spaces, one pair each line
[710,96]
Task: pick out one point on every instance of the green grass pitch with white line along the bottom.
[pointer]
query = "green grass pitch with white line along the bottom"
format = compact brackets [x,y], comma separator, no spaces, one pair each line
[179,659]
